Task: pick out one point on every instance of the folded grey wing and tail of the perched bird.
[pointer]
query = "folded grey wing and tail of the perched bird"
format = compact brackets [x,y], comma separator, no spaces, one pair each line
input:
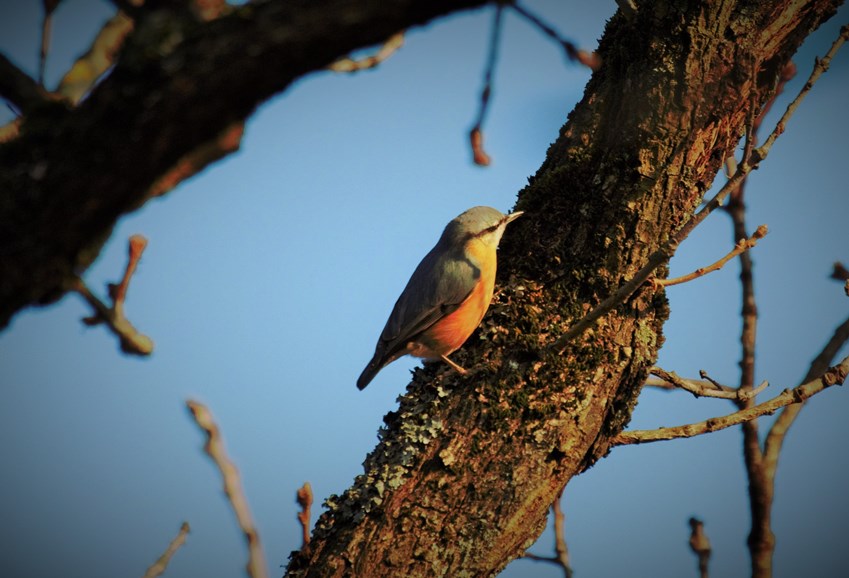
[437,287]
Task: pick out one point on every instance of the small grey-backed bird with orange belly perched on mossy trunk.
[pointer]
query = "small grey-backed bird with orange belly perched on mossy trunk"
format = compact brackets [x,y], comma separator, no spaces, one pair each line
[447,295]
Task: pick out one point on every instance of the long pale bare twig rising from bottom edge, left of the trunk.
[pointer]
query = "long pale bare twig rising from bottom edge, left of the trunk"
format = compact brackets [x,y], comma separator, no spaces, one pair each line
[214,447]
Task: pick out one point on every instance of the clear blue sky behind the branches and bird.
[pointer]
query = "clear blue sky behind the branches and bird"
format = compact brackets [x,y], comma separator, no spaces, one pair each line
[268,278]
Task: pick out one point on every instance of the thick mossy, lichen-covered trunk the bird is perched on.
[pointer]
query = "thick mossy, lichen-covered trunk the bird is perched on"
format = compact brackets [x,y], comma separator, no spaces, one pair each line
[467,468]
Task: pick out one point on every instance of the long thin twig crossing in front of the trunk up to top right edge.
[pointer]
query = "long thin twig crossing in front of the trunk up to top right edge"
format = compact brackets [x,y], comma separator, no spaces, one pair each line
[665,252]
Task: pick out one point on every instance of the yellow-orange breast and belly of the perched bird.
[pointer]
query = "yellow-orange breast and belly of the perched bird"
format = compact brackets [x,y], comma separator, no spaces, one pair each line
[450,332]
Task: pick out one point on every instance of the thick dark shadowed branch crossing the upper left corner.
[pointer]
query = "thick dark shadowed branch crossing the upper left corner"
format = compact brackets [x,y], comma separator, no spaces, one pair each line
[179,84]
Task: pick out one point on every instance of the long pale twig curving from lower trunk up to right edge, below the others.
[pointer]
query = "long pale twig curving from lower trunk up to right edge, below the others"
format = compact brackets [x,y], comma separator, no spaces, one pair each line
[834,376]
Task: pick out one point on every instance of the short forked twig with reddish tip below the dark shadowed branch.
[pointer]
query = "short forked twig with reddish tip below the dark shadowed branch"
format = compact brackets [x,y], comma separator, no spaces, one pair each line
[113,316]
